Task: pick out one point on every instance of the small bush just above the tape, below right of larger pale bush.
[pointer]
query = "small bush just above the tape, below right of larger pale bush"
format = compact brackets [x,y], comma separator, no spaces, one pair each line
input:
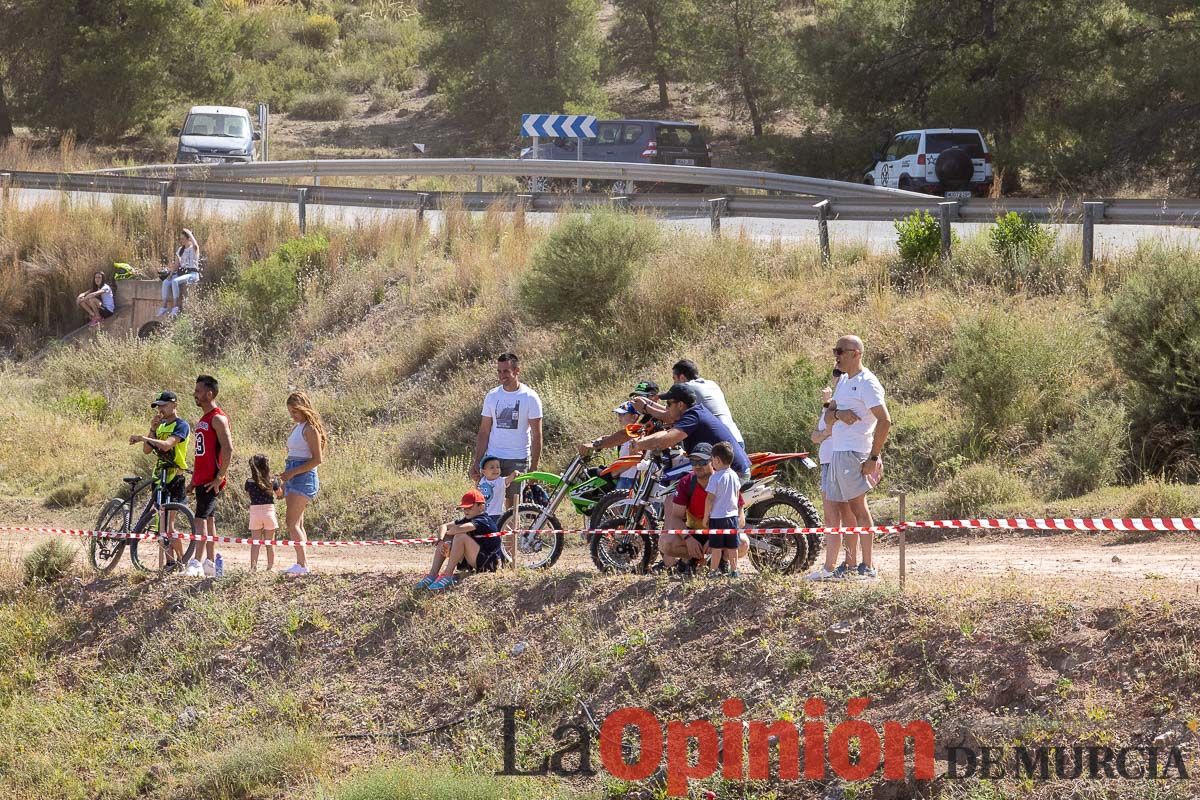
[1089,455]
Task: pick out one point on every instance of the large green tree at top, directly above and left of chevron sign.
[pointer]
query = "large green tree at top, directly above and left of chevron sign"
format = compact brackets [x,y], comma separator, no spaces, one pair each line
[494,62]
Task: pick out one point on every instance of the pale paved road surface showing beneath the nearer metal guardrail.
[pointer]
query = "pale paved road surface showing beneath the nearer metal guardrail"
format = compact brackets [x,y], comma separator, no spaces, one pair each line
[878,237]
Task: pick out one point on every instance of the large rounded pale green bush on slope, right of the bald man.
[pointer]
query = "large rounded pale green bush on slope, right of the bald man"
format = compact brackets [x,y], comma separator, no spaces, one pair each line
[1012,372]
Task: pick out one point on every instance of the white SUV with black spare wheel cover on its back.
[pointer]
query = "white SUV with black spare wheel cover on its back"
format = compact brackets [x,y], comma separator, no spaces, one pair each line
[953,163]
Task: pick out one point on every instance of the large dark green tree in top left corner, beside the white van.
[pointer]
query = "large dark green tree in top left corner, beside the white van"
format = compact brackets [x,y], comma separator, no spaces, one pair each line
[140,56]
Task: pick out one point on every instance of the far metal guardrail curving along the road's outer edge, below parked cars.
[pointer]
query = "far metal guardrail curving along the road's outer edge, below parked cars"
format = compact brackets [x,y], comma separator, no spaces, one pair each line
[712,177]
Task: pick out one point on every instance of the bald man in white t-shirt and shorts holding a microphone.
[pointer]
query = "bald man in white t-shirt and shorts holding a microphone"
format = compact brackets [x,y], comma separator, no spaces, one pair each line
[859,424]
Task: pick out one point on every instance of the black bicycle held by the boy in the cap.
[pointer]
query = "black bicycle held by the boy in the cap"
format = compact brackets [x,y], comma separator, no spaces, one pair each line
[155,554]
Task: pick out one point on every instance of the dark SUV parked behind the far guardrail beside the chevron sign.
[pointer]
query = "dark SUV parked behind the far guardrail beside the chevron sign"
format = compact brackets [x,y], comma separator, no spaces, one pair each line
[647,142]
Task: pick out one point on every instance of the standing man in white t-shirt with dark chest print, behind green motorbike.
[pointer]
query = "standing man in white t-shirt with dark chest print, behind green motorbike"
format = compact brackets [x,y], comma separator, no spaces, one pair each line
[511,428]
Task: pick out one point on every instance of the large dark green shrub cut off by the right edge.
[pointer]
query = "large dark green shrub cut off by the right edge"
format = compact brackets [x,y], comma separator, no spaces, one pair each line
[1154,330]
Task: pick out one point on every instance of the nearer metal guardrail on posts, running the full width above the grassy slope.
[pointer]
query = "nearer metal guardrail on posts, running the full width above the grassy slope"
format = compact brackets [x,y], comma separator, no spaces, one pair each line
[1184,213]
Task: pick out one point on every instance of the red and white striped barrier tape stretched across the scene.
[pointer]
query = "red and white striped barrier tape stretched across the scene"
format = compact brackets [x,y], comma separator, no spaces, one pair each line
[1088,525]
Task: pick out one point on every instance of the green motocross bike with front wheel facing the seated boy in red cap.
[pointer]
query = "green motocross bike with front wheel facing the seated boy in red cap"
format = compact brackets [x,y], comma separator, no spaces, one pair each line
[543,494]
